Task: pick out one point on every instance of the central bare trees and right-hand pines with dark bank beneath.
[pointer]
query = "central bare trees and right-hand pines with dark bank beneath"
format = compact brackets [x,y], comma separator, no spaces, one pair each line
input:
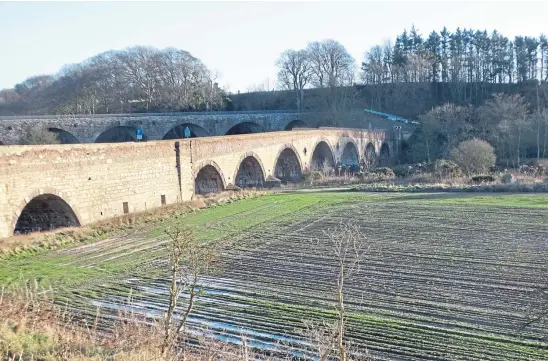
[411,75]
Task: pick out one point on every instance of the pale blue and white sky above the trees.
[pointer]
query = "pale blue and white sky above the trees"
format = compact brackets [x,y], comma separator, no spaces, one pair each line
[239,40]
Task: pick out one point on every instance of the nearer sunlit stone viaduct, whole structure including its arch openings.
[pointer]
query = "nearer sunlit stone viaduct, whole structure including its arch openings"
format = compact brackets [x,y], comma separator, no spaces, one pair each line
[49,186]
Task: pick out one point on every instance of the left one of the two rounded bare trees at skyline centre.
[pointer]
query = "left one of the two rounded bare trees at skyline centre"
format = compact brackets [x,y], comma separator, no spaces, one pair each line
[295,72]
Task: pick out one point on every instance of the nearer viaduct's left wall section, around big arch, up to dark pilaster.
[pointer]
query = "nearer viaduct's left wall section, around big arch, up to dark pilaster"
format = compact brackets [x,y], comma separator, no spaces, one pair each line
[94,179]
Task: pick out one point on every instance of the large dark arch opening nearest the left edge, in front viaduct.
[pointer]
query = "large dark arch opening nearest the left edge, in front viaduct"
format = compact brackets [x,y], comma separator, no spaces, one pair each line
[44,213]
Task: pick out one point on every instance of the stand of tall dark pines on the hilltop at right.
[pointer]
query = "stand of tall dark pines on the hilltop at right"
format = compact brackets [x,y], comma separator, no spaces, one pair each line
[465,66]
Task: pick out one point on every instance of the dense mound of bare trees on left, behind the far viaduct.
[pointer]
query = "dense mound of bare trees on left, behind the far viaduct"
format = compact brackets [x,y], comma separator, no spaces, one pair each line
[136,79]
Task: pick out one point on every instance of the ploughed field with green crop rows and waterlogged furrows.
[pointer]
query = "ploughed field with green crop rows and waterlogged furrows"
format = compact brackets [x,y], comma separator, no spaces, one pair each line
[447,276]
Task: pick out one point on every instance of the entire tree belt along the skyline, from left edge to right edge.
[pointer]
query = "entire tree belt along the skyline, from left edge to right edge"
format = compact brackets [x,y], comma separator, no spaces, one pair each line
[408,78]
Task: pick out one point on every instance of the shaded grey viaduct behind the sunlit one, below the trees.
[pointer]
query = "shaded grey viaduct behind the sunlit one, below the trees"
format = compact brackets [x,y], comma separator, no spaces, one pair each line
[109,128]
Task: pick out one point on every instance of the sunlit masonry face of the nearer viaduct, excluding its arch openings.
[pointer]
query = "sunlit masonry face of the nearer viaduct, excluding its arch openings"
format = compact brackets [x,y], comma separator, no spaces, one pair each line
[97,179]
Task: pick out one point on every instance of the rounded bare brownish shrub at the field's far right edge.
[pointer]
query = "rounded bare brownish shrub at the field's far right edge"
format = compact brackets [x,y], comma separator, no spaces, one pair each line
[474,156]
